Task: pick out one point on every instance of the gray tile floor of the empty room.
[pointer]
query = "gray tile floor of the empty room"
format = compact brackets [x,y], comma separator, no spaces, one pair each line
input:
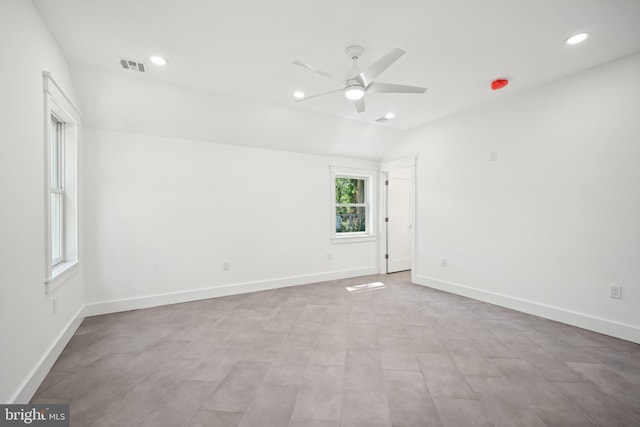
[370,351]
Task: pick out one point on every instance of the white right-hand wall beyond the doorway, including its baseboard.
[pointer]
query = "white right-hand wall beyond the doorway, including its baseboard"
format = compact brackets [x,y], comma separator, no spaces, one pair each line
[556,219]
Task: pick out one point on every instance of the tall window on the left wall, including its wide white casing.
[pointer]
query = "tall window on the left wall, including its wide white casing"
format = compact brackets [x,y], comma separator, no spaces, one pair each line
[61,200]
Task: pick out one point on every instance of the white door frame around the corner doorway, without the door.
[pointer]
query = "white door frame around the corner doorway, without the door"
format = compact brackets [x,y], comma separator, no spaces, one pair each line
[385,168]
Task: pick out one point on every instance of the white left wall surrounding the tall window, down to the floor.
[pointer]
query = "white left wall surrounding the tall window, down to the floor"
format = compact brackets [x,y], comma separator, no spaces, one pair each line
[28,326]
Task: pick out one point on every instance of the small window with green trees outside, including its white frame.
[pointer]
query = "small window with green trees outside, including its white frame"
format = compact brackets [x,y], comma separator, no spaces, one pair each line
[352,204]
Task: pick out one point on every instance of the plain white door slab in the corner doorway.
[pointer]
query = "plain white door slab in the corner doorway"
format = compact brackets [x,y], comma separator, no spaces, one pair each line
[399,225]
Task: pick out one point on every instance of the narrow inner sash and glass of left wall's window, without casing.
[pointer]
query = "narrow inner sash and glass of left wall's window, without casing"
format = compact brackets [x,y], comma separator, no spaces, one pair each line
[57,190]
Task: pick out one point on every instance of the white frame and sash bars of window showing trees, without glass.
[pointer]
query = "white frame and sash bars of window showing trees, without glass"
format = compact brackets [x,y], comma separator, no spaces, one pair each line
[369,177]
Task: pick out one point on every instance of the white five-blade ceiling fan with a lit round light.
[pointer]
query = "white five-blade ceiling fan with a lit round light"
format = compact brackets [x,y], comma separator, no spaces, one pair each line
[358,82]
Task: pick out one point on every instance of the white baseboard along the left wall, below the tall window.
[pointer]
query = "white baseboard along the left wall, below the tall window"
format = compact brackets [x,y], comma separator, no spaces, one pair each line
[38,374]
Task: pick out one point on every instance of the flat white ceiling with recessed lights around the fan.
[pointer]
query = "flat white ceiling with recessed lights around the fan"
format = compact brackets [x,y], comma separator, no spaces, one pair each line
[245,47]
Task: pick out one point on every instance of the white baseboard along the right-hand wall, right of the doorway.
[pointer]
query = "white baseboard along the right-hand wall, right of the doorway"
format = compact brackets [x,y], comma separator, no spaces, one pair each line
[581,320]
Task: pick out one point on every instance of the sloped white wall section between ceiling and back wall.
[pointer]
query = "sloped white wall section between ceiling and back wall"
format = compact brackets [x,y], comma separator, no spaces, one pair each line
[136,103]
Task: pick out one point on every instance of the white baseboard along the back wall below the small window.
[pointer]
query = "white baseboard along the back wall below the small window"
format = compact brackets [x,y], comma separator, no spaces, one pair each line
[114,306]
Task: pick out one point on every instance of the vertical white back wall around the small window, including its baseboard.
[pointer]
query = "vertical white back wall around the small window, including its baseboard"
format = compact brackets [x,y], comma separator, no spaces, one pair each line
[163,214]
